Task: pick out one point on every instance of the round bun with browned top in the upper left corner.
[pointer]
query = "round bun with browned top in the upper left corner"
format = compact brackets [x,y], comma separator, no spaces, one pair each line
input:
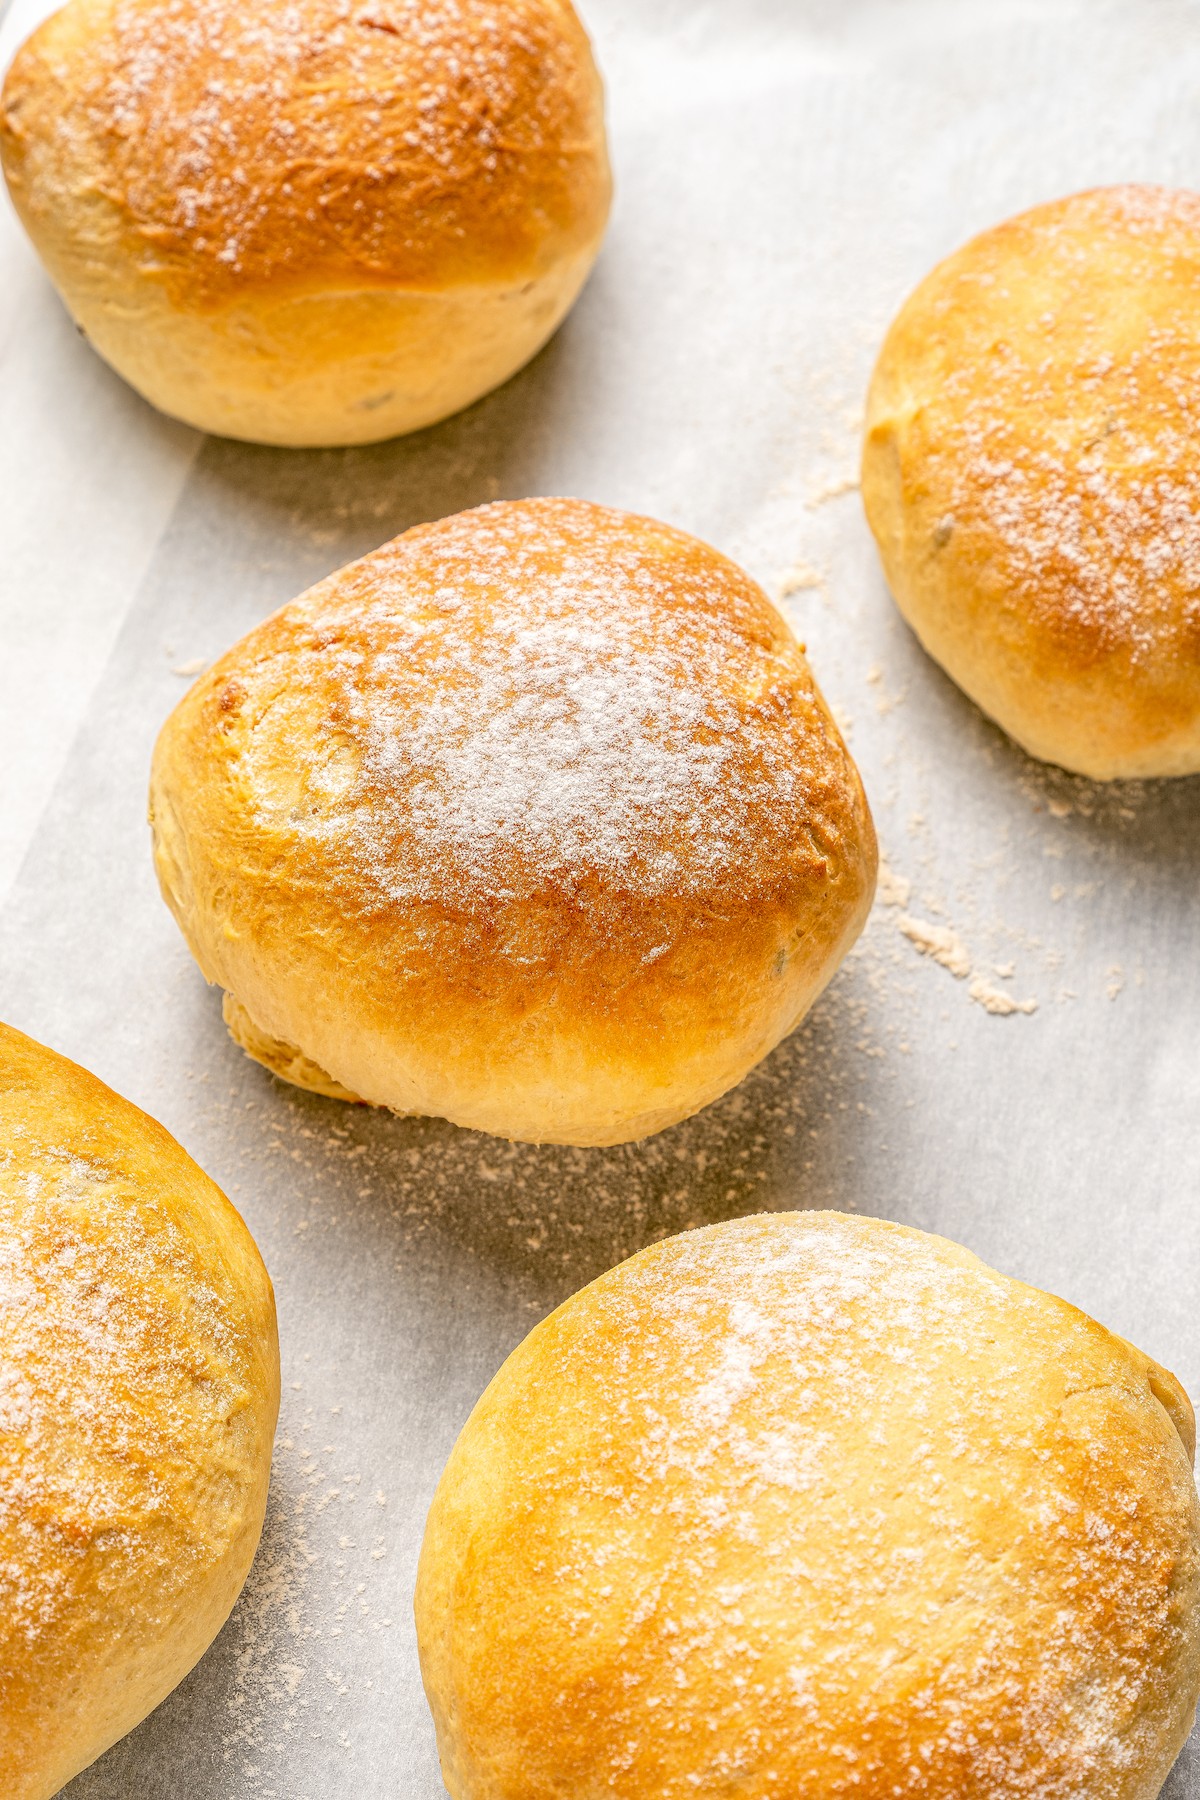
[312,224]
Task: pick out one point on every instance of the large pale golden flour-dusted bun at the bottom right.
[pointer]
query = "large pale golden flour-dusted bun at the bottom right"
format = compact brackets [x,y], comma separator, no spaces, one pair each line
[816,1507]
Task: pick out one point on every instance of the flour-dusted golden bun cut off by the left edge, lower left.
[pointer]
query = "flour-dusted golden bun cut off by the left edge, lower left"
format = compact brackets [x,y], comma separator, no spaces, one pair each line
[139,1385]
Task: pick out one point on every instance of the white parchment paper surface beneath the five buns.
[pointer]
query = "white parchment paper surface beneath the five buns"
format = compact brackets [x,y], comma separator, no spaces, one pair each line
[785,172]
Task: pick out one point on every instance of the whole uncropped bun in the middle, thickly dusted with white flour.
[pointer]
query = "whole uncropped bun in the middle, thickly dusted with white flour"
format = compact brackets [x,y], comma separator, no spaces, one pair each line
[533,820]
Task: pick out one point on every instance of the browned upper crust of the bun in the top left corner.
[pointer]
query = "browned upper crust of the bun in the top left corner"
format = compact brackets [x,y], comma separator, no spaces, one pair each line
[316,147]
